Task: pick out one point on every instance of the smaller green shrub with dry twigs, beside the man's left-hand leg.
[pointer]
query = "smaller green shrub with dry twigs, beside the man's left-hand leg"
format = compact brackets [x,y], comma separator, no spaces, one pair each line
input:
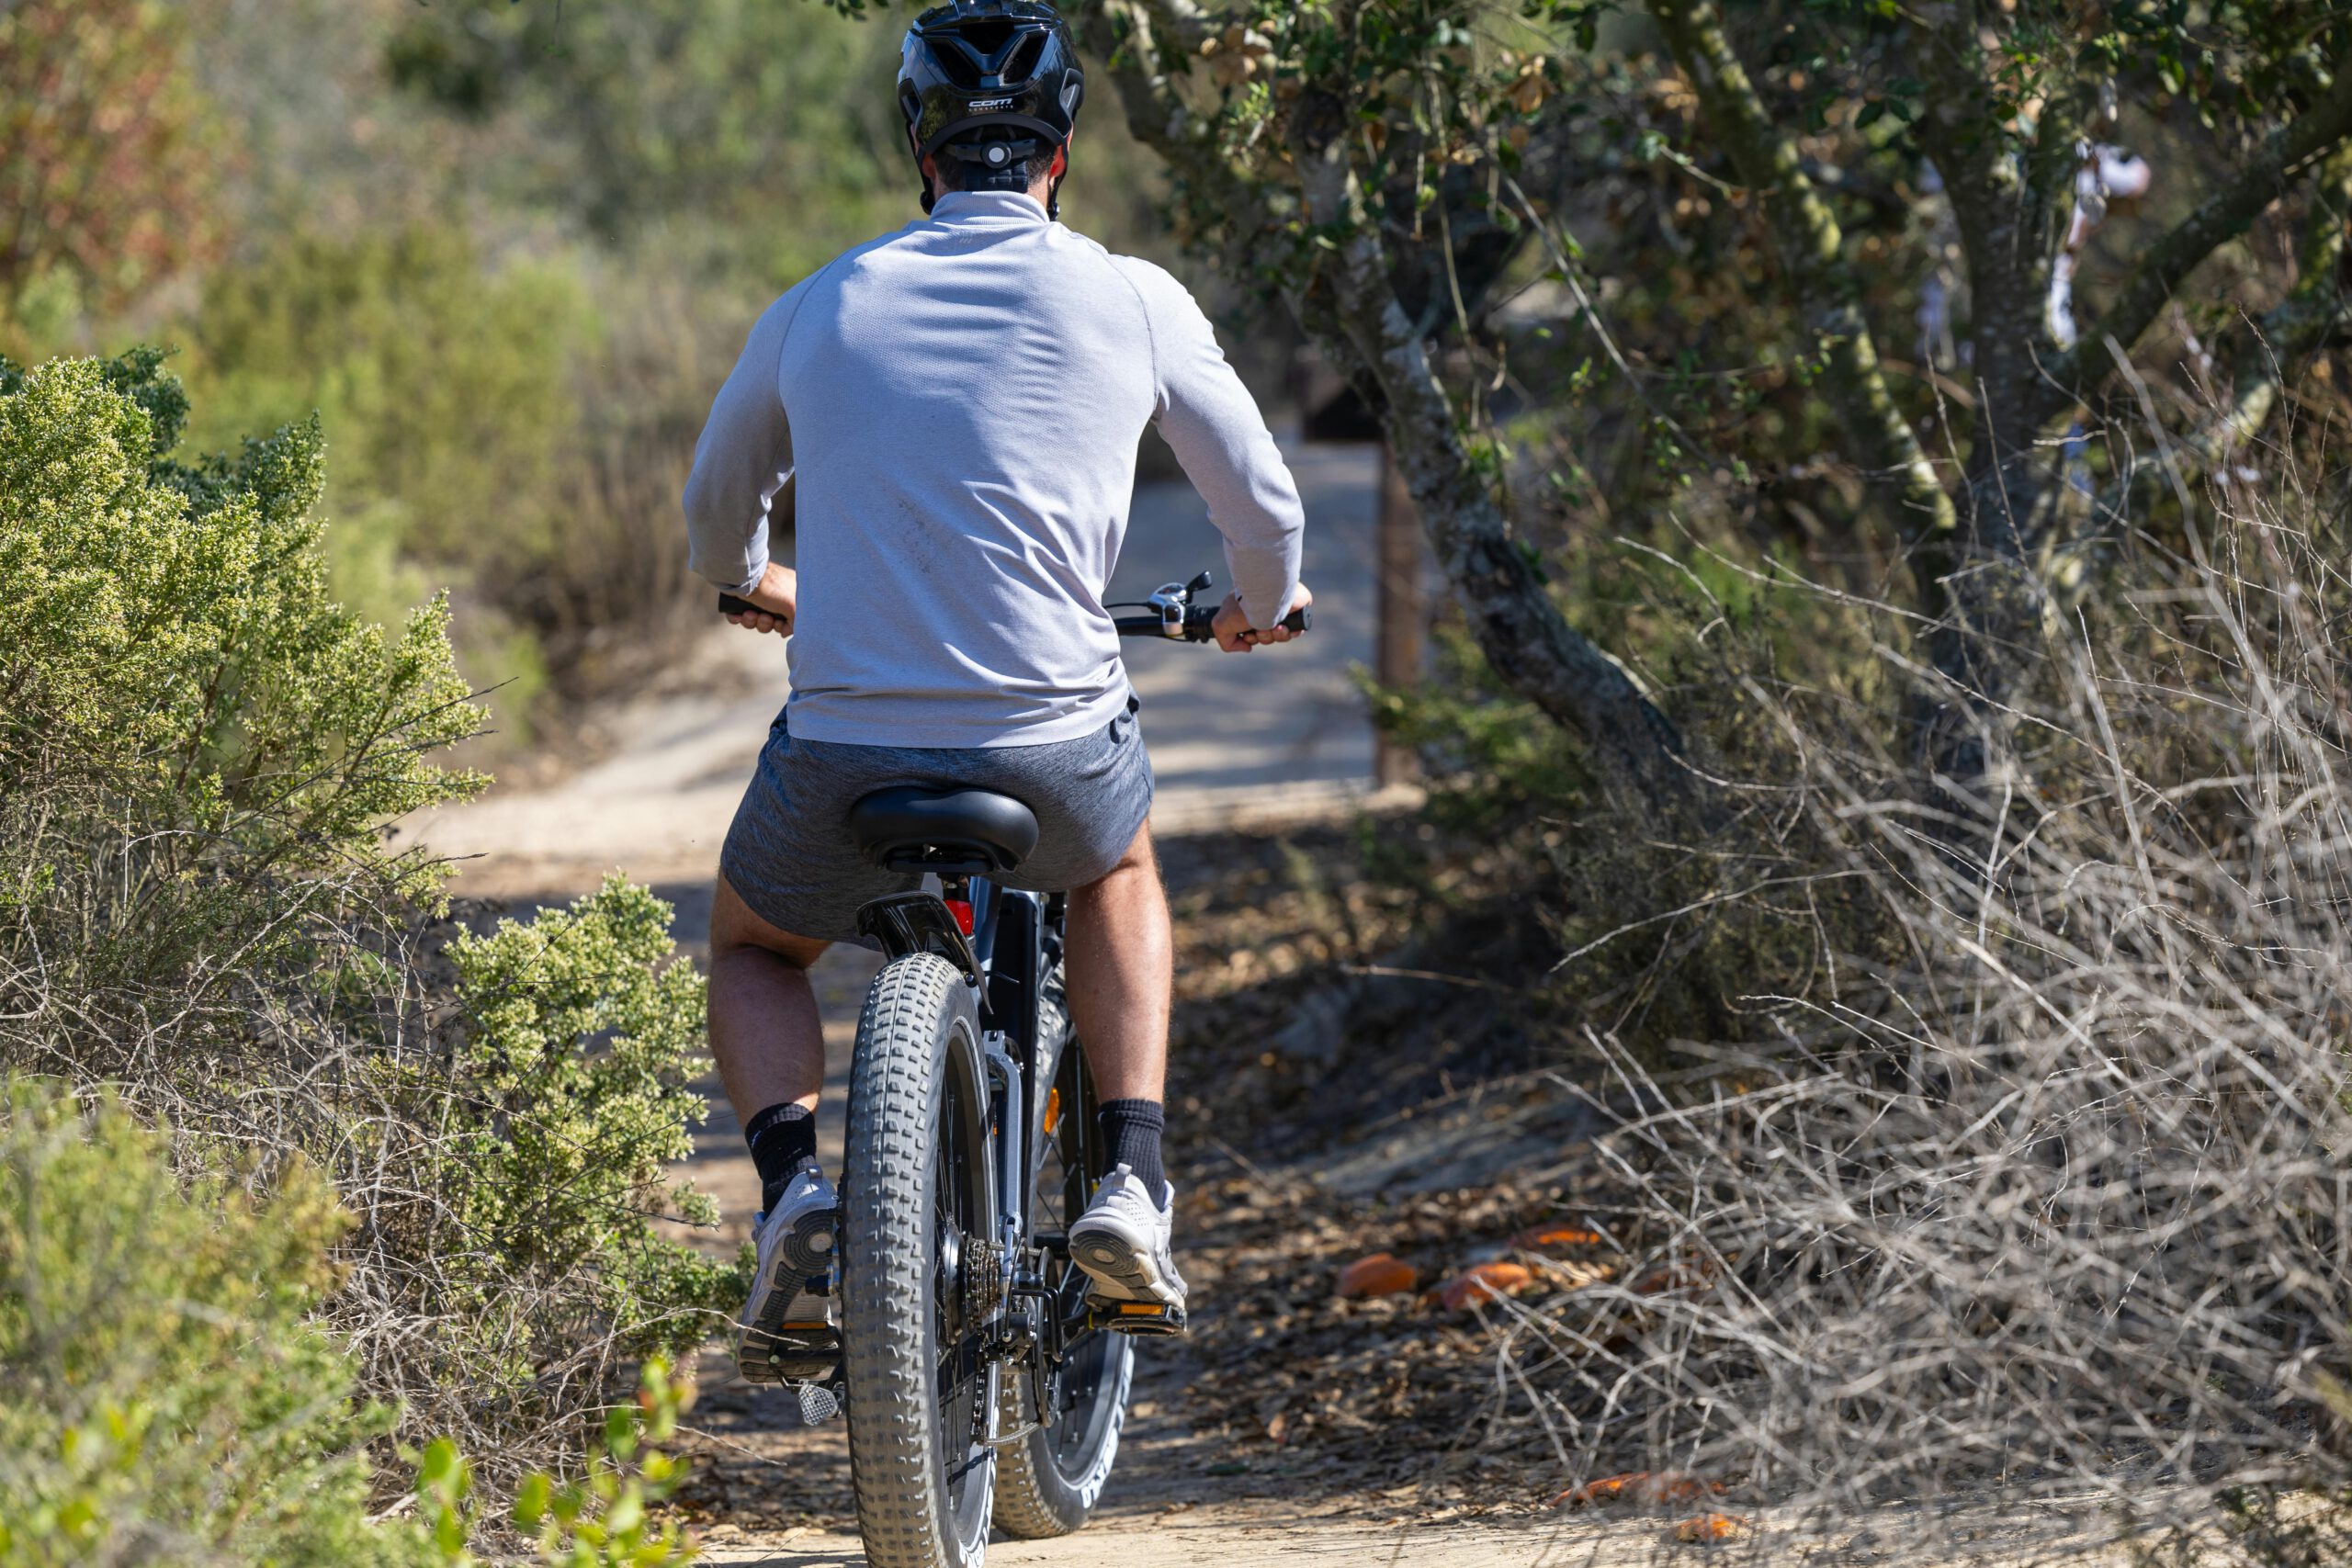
[507,1259]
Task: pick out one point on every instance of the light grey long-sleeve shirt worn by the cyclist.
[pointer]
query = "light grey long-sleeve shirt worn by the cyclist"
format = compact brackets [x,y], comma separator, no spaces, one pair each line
[951,417]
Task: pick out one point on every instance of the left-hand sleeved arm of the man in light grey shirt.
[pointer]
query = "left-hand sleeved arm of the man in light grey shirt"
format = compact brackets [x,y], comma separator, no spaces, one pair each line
[742,464]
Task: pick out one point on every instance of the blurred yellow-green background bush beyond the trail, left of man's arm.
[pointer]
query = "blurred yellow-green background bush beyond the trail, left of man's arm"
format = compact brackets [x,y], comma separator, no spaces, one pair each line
[505,434]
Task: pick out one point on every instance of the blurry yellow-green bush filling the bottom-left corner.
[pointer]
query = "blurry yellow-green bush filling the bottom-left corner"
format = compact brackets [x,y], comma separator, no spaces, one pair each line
[163,1395]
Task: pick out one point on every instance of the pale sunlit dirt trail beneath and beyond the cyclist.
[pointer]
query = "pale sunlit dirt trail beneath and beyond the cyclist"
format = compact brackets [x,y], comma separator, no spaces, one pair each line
[1229,744]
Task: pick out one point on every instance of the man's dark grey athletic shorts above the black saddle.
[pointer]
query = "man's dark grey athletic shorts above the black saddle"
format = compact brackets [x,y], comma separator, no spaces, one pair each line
[789,850]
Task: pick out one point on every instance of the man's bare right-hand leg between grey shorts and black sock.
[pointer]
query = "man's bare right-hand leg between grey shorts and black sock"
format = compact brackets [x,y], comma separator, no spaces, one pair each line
[1121,967]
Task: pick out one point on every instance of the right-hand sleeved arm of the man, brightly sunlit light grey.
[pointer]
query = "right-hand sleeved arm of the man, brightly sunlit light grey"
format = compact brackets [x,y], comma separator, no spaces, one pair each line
[1215,429]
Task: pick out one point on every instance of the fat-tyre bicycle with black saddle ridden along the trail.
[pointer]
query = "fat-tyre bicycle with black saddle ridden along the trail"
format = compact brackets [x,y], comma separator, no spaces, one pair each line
[984,1386]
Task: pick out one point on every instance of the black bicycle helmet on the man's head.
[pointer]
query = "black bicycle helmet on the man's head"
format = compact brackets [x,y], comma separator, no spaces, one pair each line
[977,65]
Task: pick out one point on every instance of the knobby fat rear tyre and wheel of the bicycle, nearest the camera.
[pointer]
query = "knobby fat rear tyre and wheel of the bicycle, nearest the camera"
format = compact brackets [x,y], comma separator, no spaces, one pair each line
[918,1217]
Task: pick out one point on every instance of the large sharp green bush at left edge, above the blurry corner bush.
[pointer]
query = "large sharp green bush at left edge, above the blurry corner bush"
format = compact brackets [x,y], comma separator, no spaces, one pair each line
[196,744]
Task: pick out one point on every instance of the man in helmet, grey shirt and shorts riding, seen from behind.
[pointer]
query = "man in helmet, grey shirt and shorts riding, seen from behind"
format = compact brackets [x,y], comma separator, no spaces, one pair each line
[949,422]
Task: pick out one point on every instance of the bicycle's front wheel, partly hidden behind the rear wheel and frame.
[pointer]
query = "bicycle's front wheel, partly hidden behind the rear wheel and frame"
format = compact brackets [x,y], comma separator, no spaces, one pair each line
[1050,1480]
